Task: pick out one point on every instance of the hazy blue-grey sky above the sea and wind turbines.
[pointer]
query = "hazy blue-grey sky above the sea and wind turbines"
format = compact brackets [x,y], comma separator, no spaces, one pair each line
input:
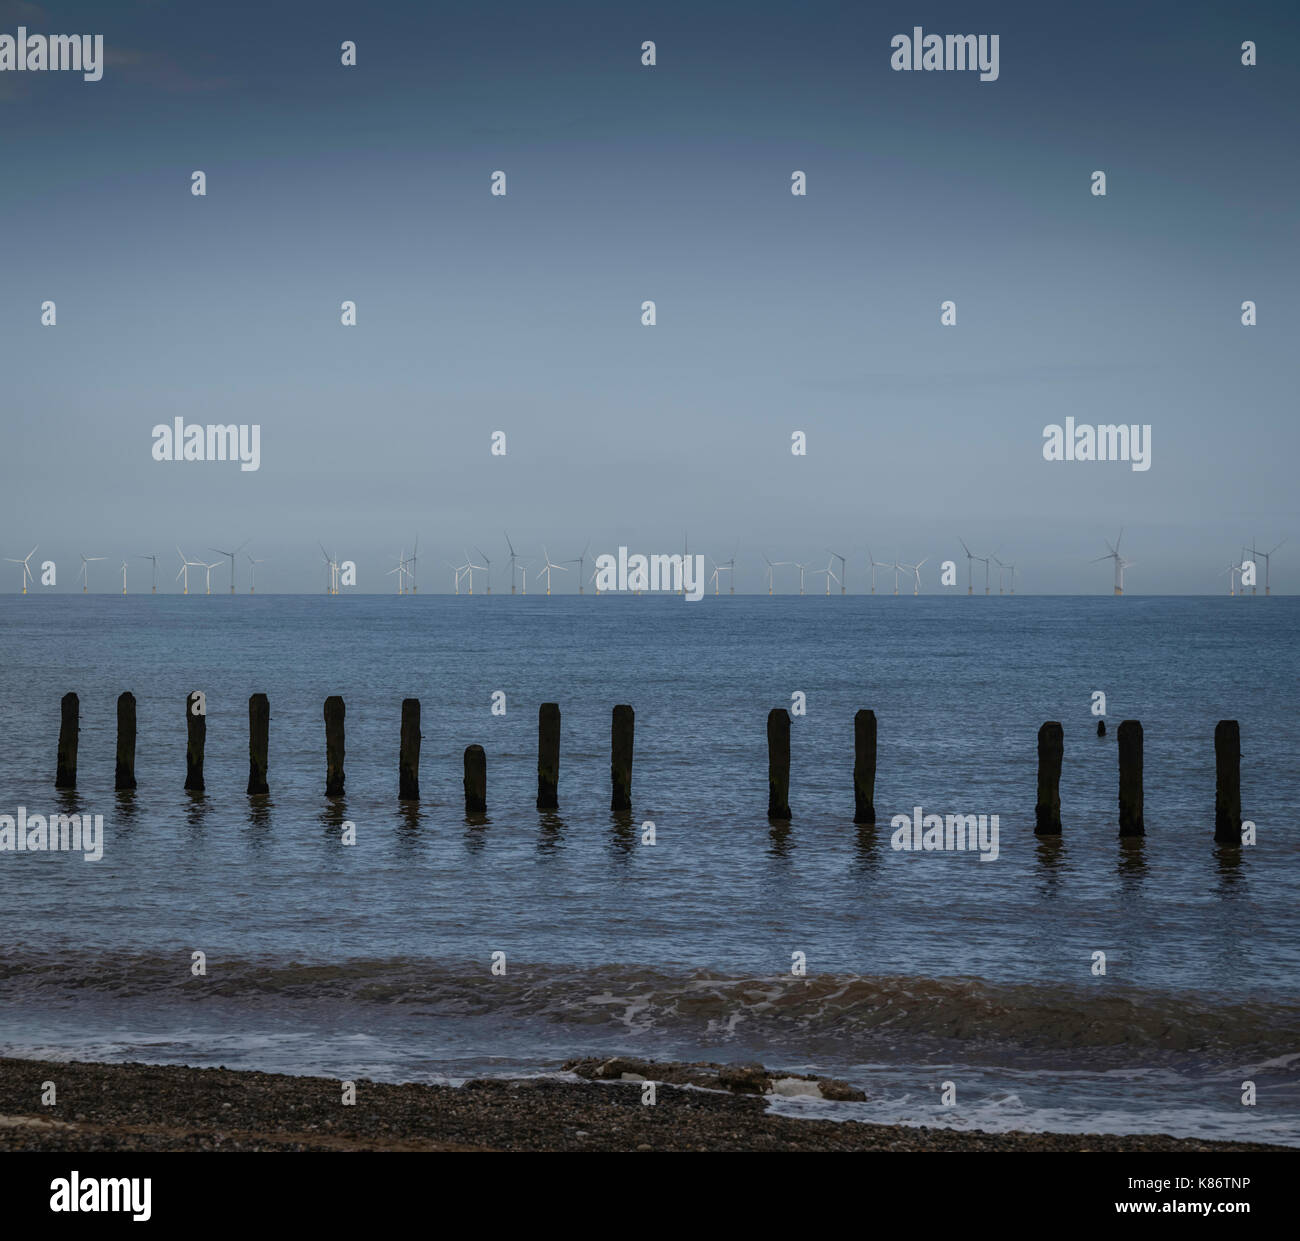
[775,314]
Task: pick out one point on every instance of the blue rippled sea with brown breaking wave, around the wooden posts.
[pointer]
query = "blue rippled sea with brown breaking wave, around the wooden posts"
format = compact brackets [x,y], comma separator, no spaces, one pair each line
[376,960]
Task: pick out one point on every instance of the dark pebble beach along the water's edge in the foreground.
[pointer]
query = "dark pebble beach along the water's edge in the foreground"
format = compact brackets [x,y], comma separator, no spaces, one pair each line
[167,1108]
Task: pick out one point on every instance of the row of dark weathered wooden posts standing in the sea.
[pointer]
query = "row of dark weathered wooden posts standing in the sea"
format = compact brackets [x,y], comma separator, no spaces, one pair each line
[1228,762]
